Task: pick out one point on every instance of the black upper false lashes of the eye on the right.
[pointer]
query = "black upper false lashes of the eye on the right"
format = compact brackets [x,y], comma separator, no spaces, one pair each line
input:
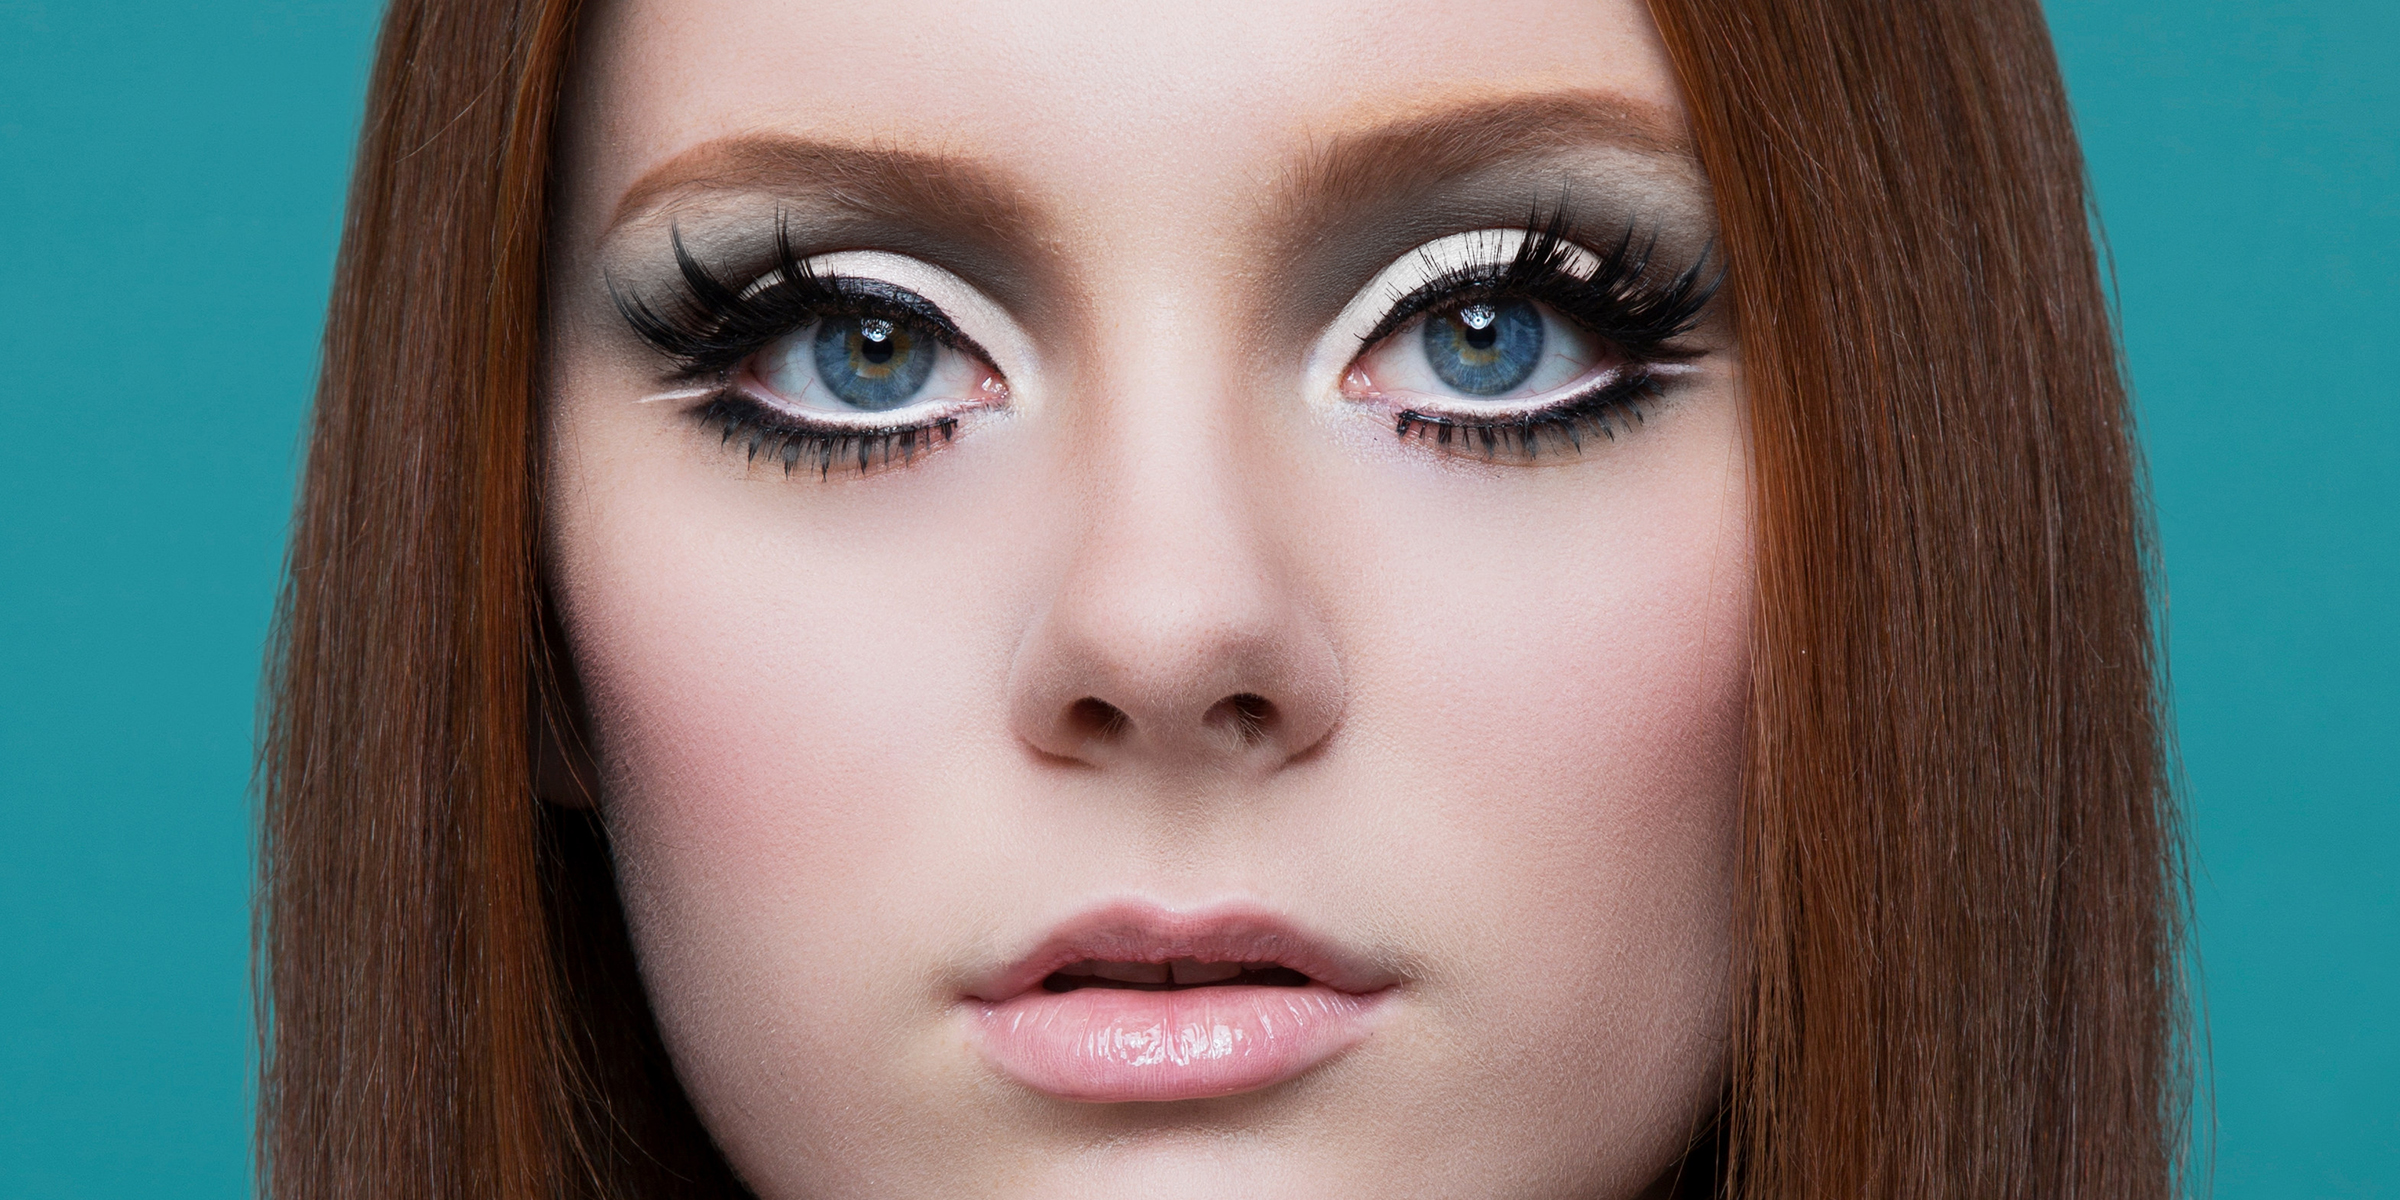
[1619,301]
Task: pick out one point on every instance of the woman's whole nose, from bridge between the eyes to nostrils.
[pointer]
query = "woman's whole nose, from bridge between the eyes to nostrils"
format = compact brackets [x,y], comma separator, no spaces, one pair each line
[1175,630]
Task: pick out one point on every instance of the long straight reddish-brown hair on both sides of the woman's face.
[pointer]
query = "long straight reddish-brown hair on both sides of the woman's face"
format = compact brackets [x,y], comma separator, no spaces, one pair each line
[1960,940]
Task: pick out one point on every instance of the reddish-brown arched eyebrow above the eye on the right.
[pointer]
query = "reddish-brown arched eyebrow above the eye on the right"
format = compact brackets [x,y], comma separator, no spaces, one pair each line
[1360,169]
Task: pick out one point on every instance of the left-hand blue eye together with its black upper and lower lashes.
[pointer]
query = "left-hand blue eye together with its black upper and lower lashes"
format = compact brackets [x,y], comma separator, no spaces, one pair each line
[817,368]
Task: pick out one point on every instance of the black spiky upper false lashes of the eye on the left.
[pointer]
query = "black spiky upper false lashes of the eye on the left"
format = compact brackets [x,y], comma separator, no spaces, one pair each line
[712,325]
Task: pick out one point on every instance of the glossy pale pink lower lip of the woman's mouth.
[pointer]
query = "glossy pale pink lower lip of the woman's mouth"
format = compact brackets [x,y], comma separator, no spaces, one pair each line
[1112,1045]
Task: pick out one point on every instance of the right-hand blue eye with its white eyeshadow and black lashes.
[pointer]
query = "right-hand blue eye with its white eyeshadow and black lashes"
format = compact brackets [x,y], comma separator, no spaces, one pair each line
[1523,342]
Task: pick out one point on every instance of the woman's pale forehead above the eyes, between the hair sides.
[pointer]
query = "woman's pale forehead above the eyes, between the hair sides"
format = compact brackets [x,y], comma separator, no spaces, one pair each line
[1103,114]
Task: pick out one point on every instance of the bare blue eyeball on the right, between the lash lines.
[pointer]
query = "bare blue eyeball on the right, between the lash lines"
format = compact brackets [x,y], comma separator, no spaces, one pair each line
[1496,349]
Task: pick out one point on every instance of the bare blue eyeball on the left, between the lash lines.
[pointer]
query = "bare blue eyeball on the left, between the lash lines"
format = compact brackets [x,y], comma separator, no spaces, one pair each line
[865,366]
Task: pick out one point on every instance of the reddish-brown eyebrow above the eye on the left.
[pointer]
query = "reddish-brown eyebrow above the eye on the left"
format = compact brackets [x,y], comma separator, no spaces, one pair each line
[870,181]
